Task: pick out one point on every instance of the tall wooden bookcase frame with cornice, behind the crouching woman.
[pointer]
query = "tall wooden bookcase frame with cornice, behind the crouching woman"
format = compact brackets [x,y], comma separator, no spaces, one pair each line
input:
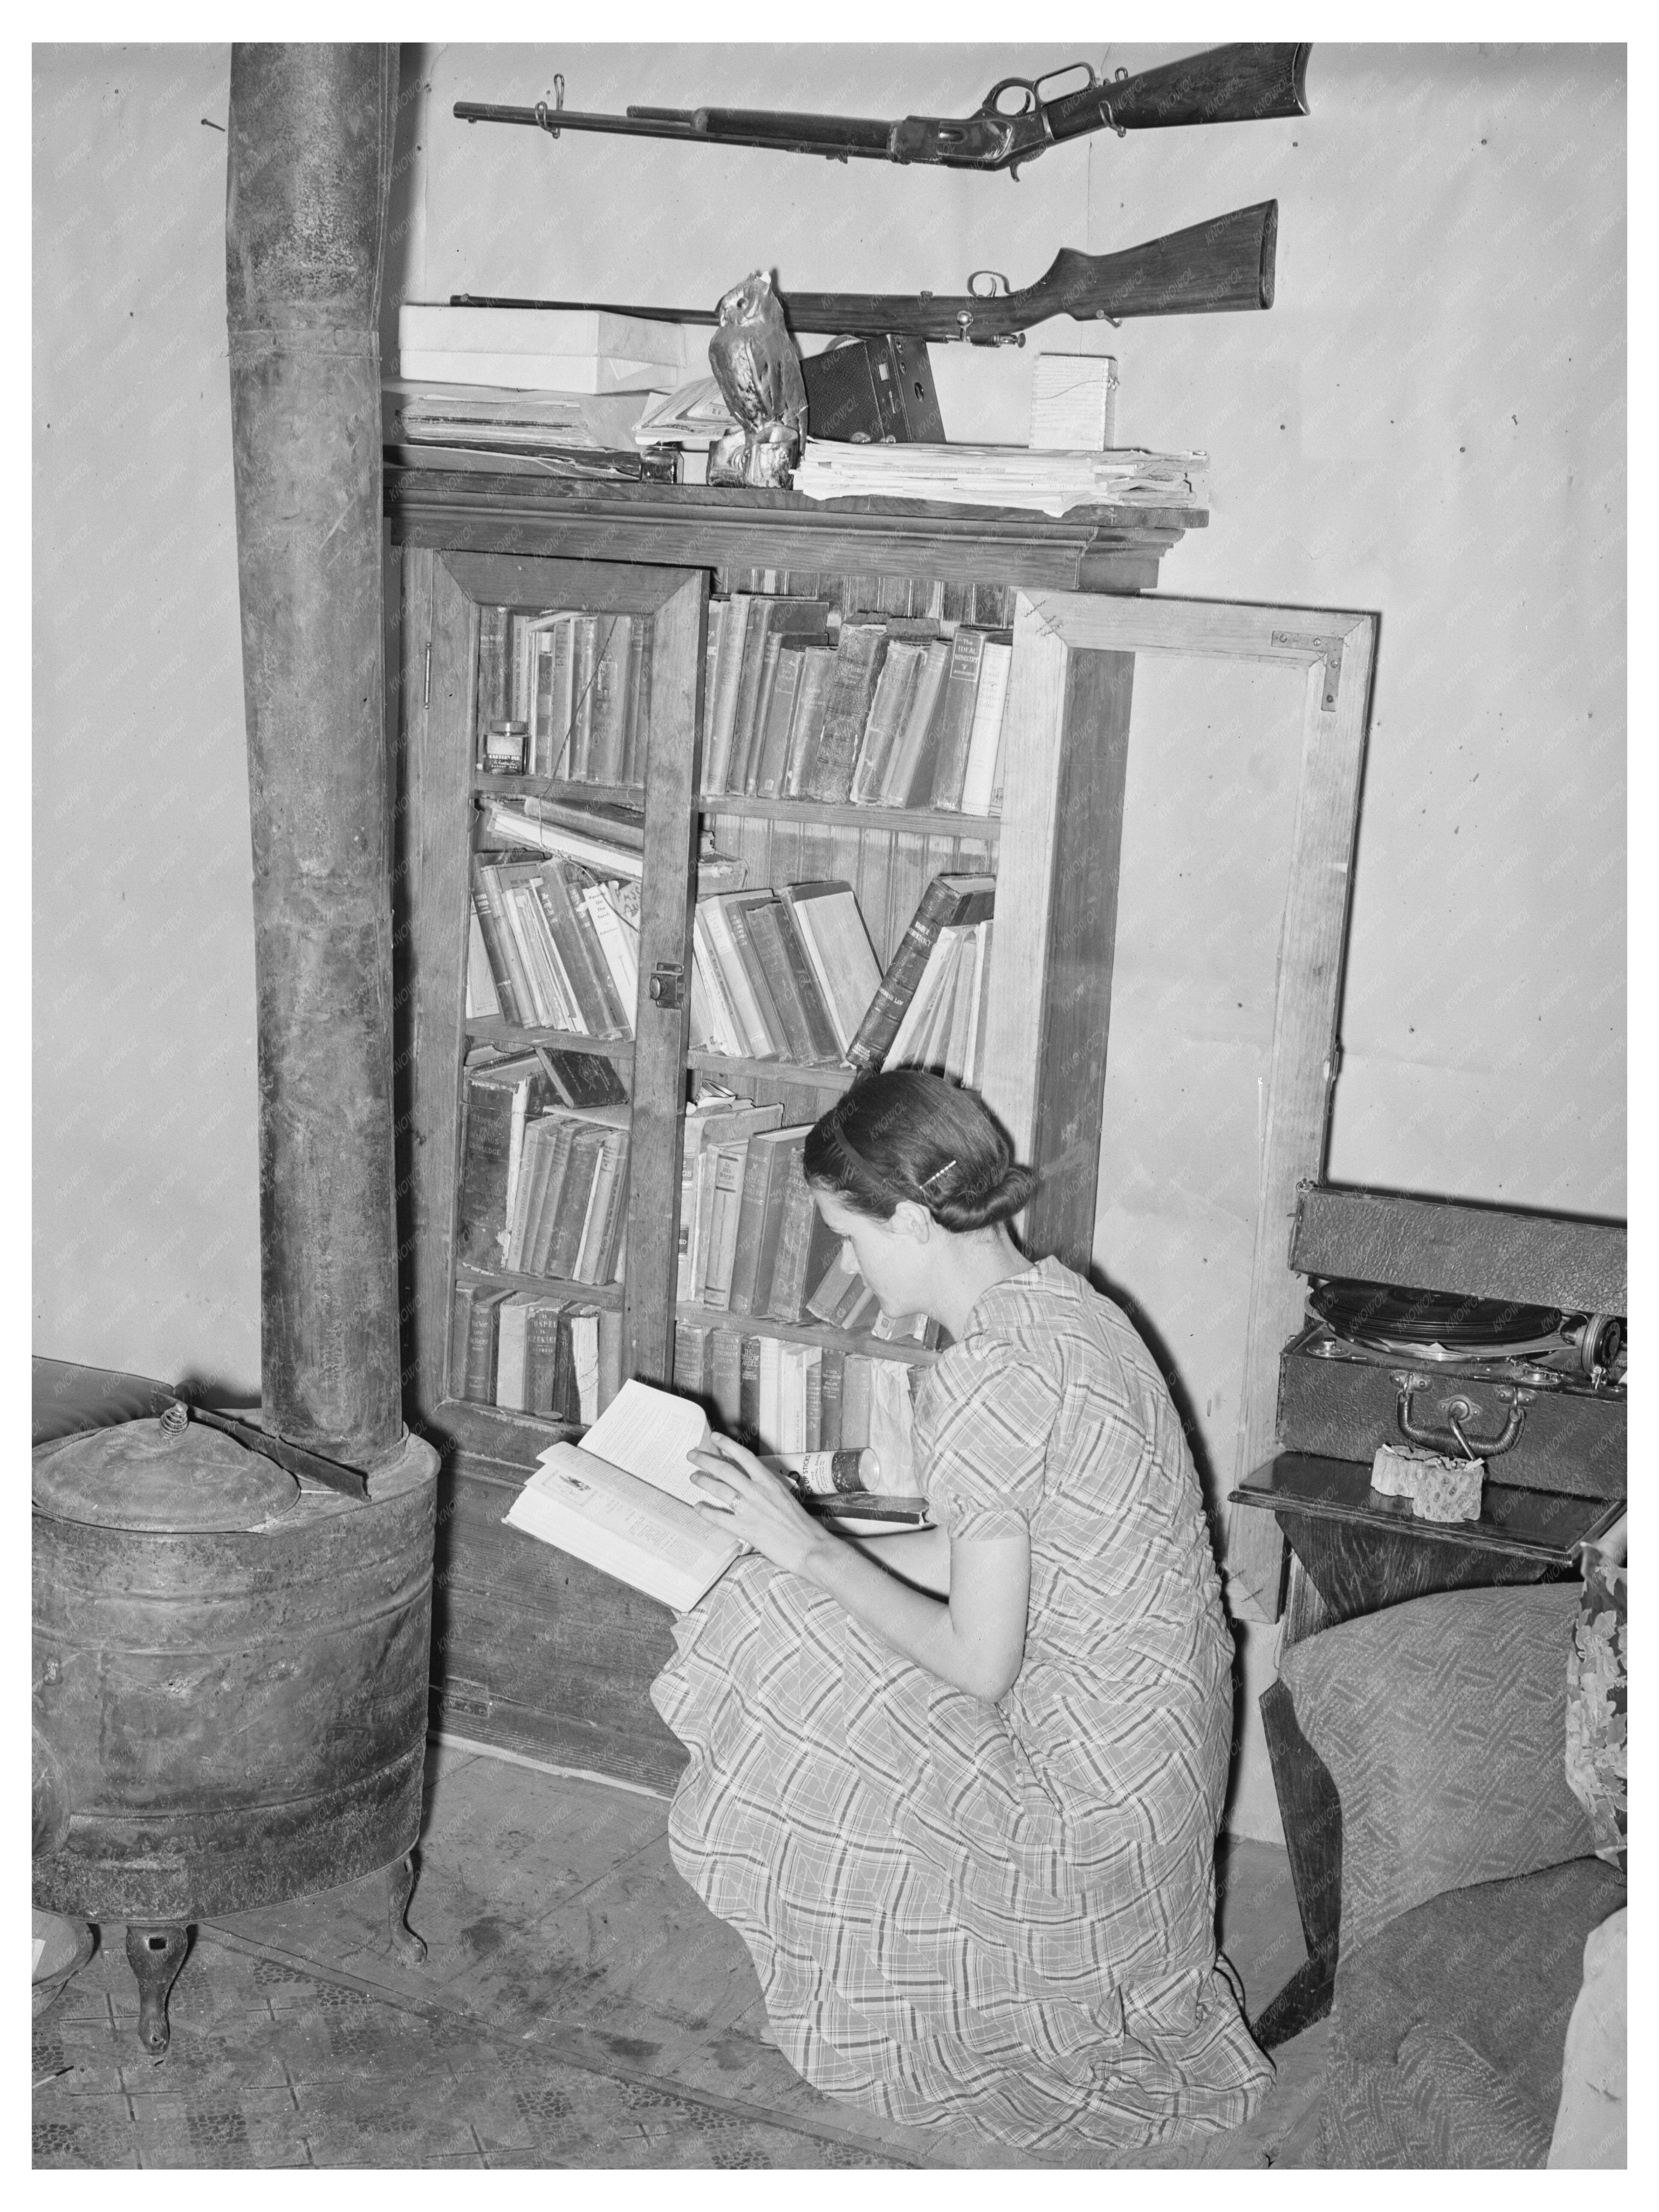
[536,1651]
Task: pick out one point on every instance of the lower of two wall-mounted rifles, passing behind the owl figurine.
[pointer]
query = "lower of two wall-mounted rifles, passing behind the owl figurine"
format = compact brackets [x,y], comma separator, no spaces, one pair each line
[1211,269]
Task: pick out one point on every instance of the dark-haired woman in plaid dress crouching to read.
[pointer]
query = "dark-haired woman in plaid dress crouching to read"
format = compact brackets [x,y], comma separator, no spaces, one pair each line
[959,1788]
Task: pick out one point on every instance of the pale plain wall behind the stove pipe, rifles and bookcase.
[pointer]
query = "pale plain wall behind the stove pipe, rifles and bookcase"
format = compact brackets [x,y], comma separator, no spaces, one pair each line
[1430,424]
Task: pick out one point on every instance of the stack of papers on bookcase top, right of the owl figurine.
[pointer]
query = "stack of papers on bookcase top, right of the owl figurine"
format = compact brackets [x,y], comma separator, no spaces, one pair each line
[1005,477]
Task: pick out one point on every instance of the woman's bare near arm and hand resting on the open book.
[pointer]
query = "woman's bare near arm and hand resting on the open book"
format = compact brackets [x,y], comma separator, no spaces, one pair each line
[974,1640]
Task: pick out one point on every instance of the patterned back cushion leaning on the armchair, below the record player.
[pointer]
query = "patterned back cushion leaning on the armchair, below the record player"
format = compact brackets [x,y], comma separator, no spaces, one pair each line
[1443,1724]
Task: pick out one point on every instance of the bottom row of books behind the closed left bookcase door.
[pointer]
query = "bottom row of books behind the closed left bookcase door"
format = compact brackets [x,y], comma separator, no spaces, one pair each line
[530,1353]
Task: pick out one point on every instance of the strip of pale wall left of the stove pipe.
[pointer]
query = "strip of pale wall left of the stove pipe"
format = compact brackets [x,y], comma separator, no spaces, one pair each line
[145,1142]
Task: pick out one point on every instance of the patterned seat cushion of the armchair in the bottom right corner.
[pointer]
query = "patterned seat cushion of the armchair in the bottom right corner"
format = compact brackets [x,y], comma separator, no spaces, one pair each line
[1450,2027]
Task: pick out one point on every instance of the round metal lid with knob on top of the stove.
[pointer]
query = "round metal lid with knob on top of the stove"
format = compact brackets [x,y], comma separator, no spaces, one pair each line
[160,1477]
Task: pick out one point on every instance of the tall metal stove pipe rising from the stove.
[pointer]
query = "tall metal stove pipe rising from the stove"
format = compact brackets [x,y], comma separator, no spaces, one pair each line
[311,167]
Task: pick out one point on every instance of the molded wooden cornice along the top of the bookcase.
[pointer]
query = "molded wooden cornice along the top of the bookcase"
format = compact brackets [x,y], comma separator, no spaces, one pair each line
[1114,550]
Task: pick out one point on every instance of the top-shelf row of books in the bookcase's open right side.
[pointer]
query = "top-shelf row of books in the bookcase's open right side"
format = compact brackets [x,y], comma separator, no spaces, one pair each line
[846,711]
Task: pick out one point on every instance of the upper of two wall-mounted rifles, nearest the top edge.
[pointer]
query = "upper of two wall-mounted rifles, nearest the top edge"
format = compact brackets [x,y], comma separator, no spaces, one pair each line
[1014,123]
